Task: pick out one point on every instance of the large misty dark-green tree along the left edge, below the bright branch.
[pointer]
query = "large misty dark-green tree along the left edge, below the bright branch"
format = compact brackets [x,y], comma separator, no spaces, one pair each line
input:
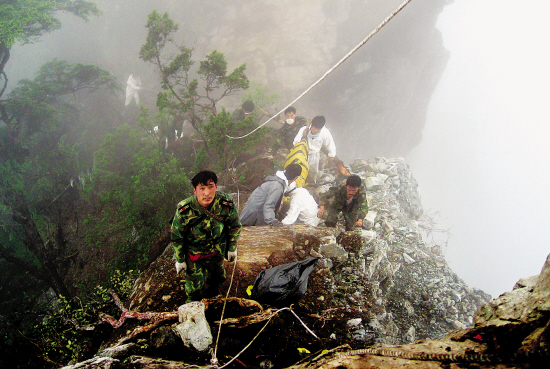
[36,164]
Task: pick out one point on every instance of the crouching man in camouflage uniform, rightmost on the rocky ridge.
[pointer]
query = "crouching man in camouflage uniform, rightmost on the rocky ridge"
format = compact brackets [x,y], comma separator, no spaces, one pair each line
[350,199]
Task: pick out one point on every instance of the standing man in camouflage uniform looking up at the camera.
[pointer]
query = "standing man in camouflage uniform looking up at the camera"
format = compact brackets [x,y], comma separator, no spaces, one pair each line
[205,229]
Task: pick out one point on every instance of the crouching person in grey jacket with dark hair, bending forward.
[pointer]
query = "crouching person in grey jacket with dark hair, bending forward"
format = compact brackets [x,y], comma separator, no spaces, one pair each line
[263,203]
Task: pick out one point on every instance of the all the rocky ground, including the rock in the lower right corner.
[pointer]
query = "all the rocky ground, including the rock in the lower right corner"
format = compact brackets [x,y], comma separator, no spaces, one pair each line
[376,286]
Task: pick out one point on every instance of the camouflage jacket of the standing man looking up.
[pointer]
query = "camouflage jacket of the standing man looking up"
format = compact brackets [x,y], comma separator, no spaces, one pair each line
[197,232]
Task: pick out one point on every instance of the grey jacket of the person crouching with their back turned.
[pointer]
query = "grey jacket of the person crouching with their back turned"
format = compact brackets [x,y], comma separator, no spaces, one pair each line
[263,203]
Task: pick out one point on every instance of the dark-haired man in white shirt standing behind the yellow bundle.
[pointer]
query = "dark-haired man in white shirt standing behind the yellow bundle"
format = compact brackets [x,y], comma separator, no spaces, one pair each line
[318,137]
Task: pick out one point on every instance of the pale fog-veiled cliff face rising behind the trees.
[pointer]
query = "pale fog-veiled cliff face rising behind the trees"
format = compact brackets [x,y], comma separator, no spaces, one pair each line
[381,93]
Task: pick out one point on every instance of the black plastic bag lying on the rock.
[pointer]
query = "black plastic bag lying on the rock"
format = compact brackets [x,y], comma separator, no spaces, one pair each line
[284,284]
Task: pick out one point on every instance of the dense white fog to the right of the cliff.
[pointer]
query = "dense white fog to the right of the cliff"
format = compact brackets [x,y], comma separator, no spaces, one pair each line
[484,160]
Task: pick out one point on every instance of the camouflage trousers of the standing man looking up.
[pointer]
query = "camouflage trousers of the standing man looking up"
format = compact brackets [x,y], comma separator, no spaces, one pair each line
[209,271]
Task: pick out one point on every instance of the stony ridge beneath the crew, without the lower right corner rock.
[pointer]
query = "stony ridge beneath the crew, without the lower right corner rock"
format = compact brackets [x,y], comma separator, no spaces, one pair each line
[381,284]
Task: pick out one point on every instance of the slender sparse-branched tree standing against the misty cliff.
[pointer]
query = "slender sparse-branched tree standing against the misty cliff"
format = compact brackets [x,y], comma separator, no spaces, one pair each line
[183,96]
